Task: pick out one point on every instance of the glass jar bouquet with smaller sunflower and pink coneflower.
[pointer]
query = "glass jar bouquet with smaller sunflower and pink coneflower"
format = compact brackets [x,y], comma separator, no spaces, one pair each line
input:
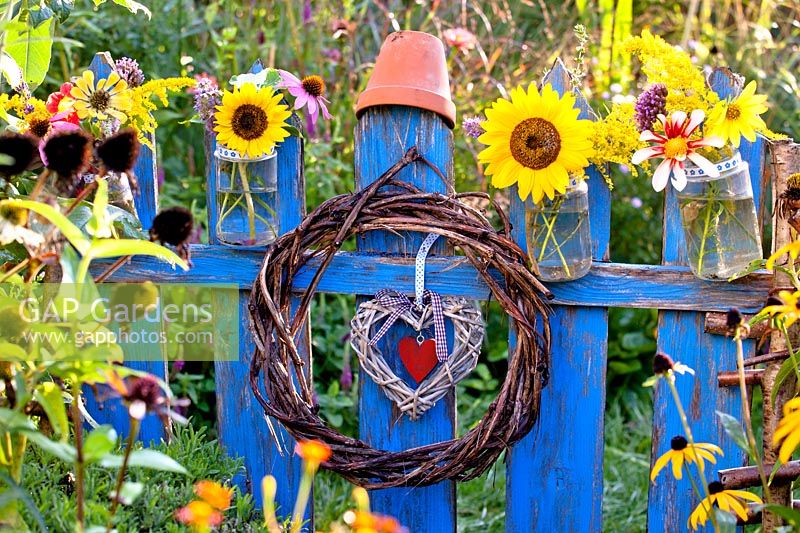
[250,121]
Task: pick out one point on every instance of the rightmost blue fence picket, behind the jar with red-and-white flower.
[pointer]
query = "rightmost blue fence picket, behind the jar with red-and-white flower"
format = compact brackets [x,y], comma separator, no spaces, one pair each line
[680,334]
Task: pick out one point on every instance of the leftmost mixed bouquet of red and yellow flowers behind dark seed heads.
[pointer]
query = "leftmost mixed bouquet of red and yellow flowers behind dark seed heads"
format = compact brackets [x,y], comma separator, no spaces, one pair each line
[90,128]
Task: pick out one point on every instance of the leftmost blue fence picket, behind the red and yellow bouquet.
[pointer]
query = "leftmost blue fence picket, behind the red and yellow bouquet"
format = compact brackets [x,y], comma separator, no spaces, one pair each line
[110,411]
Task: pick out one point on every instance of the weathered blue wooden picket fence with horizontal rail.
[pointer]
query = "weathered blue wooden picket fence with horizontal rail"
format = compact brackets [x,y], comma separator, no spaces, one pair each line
[555,475]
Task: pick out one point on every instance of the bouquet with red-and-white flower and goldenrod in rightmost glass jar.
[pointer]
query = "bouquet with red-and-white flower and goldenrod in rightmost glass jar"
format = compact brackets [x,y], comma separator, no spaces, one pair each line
[679,122]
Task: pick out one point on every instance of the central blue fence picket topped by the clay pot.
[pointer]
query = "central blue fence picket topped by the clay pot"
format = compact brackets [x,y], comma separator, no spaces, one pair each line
[382,136]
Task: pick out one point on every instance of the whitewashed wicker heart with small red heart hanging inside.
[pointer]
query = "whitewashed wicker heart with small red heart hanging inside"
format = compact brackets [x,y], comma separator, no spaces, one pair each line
[442,377]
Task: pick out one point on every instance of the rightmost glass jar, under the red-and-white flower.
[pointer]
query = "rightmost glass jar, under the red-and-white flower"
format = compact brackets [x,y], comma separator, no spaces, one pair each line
[719,220]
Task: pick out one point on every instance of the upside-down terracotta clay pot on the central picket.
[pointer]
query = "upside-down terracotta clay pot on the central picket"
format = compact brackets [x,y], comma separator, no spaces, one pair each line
[411,70]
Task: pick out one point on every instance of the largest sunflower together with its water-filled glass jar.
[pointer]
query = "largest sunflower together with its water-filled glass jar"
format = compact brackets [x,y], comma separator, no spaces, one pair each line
[536,141]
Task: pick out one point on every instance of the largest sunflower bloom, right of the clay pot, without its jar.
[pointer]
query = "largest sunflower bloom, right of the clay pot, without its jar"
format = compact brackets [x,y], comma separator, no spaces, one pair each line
[535,140]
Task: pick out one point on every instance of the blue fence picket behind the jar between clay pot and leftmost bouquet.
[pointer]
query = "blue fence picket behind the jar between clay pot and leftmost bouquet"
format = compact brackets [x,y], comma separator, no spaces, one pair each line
[242,429]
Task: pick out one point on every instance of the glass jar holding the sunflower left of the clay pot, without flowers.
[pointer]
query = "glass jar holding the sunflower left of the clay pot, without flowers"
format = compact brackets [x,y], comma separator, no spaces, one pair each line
[247,190]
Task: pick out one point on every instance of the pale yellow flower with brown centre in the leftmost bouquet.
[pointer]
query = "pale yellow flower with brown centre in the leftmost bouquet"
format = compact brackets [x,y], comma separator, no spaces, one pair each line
[109,98]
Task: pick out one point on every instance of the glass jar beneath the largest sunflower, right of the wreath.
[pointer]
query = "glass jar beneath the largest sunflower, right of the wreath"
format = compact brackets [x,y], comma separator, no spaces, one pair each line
[558,235]
